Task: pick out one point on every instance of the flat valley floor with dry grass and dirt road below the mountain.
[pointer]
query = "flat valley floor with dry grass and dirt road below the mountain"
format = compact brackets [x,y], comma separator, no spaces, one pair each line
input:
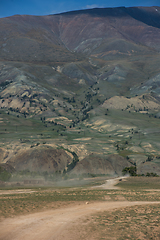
[90,213]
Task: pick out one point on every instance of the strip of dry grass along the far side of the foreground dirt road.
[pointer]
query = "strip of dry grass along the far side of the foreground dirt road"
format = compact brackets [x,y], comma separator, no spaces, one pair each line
[42,199]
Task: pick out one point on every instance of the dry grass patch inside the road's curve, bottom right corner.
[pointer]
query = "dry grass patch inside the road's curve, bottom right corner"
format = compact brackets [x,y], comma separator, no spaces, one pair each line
[139,222]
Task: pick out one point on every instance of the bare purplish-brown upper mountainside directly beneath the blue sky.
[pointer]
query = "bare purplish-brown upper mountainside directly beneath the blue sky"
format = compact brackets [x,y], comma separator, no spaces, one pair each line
[56,38]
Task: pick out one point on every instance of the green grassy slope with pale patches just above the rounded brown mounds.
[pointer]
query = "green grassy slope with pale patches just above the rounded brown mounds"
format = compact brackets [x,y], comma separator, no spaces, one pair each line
[101,133]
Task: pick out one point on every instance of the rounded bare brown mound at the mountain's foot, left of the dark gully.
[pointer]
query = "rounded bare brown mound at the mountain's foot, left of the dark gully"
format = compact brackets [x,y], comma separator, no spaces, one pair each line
[41,160]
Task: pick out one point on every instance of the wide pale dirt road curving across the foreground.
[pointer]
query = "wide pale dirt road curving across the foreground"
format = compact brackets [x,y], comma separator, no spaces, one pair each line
[51,225]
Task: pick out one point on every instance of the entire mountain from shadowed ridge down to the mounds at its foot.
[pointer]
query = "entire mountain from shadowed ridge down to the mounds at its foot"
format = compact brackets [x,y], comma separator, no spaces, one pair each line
[87,81]
